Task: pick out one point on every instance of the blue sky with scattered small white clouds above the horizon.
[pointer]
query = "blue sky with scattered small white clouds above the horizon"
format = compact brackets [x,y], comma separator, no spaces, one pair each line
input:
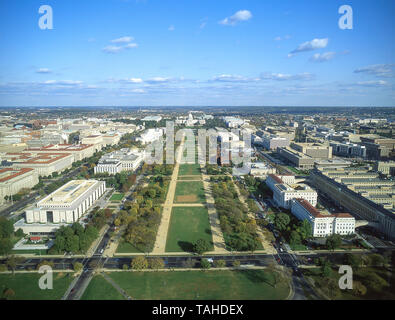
[197,52]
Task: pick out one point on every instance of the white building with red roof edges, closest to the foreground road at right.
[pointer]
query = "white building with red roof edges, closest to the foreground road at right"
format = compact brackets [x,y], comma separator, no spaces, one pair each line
[323,225]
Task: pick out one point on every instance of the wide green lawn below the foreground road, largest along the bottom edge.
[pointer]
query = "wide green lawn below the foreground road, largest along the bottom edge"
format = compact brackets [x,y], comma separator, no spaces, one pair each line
[199,285]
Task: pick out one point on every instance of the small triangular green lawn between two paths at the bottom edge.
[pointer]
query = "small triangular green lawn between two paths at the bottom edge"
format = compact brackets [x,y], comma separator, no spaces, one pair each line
[100,289]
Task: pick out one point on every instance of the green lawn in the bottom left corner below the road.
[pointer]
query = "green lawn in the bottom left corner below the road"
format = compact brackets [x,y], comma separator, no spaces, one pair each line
[25,286]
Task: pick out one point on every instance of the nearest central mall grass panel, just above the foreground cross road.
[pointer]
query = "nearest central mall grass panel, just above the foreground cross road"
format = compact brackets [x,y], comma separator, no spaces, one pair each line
[187,224]
